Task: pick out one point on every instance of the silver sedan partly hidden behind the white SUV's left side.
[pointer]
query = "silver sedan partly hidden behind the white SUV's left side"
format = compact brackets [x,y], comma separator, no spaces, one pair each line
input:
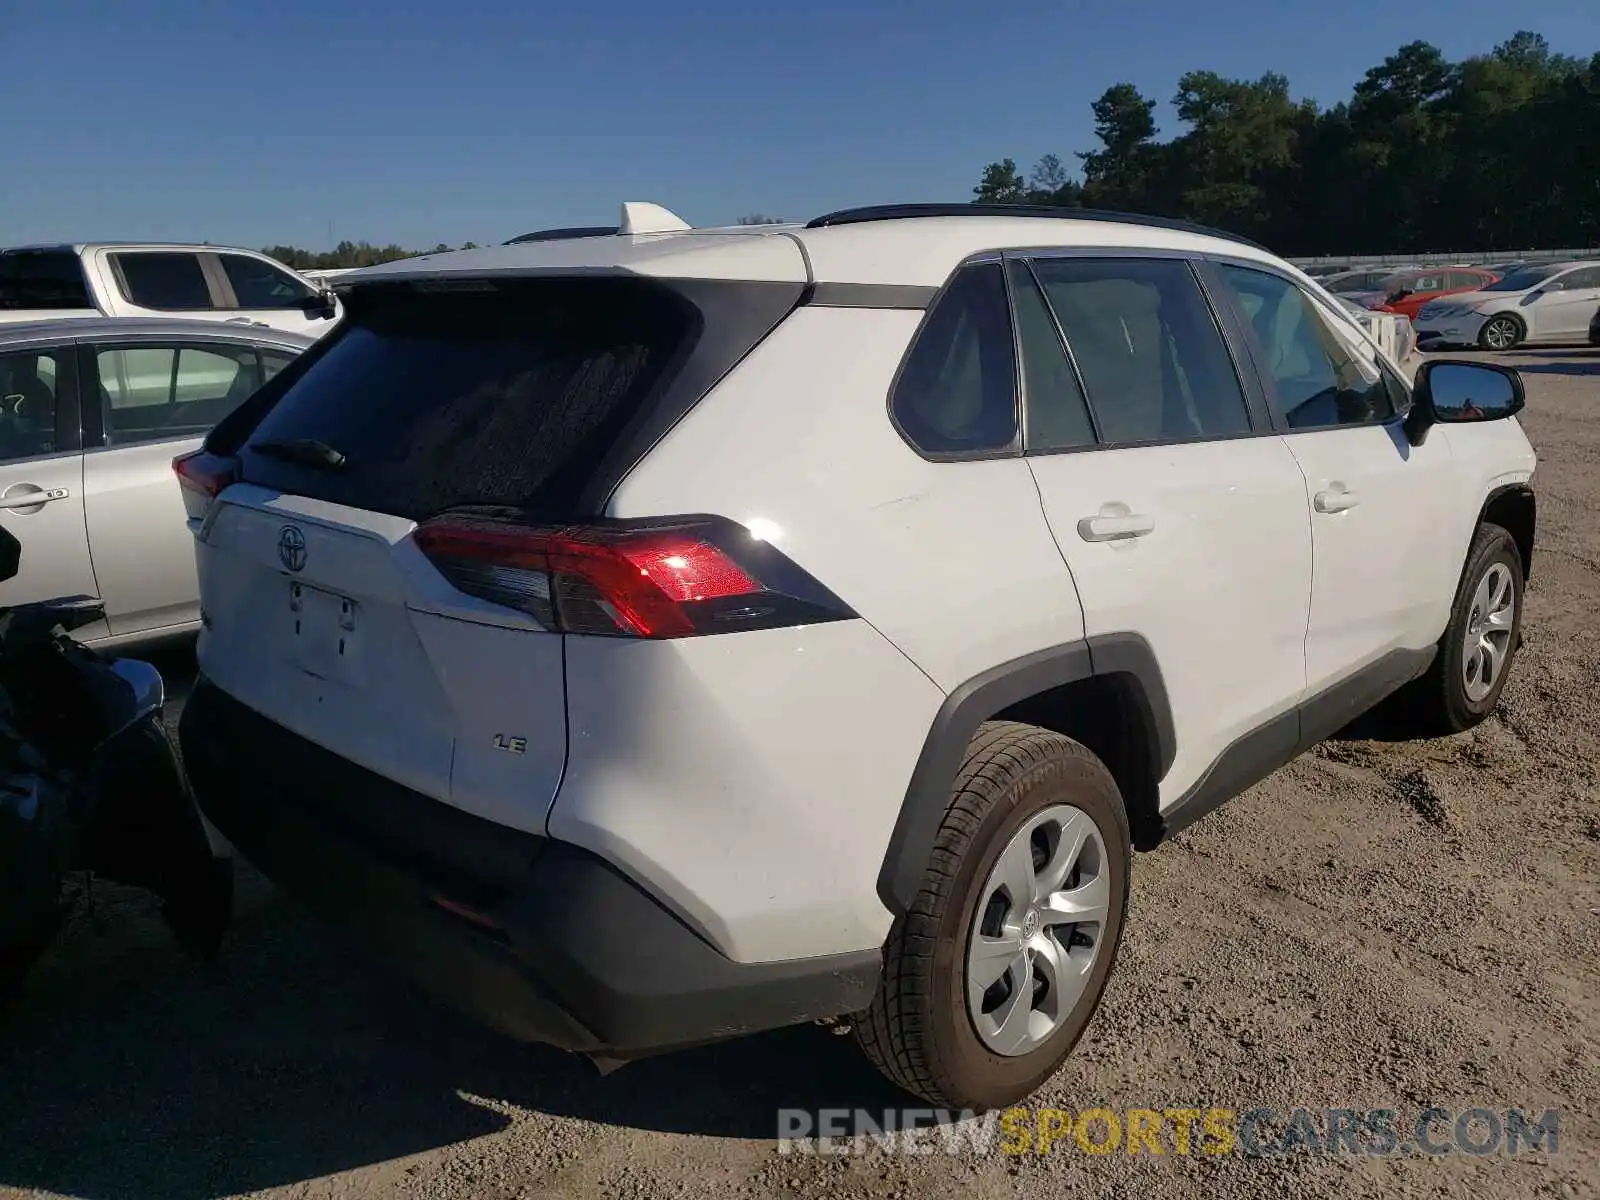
[92,415]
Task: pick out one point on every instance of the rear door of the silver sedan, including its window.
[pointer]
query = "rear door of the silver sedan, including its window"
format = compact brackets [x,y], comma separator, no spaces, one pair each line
[156,399]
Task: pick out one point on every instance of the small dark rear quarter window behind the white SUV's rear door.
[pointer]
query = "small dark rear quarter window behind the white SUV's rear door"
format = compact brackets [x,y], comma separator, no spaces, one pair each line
[958,391]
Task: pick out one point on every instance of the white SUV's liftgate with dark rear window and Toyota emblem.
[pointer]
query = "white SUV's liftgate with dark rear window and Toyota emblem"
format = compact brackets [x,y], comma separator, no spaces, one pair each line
[322,614]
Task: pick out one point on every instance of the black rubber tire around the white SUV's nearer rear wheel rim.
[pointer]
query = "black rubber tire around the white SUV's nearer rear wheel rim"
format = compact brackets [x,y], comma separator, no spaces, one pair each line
[919,1031]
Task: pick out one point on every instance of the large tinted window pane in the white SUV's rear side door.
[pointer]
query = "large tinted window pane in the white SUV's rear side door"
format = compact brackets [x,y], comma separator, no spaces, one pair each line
[1150,351]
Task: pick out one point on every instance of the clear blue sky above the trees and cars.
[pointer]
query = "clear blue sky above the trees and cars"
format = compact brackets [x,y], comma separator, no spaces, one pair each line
[394,121]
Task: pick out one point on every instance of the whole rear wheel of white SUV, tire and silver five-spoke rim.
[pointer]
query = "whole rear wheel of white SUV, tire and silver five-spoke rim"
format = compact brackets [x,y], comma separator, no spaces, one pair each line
[998,969]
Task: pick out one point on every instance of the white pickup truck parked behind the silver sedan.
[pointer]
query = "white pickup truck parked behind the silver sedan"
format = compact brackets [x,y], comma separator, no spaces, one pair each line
[95,279]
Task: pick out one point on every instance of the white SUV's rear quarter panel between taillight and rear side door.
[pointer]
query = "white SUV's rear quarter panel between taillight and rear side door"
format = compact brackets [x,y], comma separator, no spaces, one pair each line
[953,562]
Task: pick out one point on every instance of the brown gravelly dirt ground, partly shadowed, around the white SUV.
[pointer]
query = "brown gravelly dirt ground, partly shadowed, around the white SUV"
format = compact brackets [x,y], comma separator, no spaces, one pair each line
[1378,926]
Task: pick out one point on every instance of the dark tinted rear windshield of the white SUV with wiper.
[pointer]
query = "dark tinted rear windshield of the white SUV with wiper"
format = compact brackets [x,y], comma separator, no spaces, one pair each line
[447,399]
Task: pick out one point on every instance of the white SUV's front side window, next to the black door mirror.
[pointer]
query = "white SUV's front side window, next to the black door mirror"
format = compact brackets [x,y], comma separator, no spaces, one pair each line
[1319,377]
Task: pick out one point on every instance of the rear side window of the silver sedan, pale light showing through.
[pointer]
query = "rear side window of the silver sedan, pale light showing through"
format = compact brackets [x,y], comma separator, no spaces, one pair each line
[172,393]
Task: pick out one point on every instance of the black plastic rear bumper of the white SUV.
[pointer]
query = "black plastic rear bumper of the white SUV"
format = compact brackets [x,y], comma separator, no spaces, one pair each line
[534,937]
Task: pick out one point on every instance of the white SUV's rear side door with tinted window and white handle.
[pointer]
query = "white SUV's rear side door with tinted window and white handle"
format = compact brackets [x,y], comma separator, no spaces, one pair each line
[1180,513]
